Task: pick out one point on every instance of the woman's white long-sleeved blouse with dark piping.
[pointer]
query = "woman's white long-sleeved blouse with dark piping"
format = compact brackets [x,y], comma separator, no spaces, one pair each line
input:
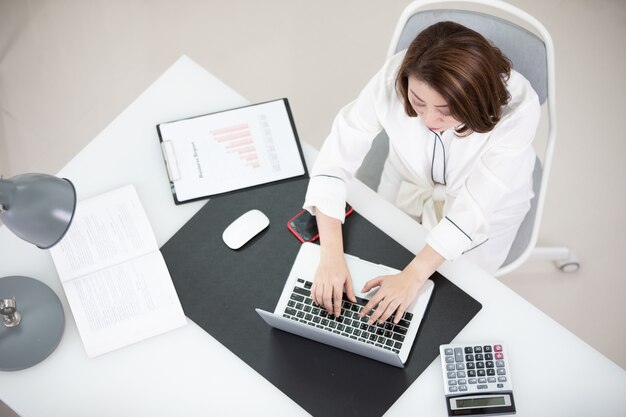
[483,180]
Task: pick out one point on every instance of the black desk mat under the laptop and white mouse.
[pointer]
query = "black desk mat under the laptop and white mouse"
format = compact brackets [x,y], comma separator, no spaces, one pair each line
[219,289]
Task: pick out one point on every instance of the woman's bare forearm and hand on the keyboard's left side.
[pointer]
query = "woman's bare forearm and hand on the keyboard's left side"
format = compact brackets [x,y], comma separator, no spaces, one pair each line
[332,275]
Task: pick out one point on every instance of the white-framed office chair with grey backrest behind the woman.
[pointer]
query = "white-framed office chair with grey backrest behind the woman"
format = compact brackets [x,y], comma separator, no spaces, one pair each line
[532,55]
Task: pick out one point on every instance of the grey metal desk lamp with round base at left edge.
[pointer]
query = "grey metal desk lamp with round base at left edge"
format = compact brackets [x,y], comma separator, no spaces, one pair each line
[38,208]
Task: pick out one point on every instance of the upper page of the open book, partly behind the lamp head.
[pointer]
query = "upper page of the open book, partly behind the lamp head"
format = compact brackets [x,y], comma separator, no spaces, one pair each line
[106,230]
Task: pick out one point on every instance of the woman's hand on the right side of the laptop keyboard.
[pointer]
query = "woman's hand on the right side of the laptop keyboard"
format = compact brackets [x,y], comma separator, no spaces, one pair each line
[395,294]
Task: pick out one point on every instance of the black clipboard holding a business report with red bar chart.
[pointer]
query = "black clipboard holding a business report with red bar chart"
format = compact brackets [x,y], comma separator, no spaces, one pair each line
[231,150]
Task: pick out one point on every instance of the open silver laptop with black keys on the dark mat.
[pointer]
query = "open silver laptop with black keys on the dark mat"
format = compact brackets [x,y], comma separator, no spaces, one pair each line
[296,313]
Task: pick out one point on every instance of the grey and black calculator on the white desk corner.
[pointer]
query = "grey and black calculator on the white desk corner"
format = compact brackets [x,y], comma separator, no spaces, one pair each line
[477,379]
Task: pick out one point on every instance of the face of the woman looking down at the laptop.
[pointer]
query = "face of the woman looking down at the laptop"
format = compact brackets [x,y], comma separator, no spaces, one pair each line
[430,106]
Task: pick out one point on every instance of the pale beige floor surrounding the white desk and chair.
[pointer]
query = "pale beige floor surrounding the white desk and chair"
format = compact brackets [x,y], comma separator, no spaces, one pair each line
[67,68]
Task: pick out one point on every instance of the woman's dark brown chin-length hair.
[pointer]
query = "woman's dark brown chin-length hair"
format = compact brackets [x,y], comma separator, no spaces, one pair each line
[464,68]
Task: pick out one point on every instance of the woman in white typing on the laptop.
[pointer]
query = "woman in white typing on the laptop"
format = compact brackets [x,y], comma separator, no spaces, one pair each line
[460,123]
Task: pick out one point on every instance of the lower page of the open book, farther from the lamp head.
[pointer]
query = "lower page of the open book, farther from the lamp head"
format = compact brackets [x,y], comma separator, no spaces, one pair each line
[124,304]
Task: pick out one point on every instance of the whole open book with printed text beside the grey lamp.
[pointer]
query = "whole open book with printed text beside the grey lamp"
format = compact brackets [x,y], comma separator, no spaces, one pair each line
[114,276]
